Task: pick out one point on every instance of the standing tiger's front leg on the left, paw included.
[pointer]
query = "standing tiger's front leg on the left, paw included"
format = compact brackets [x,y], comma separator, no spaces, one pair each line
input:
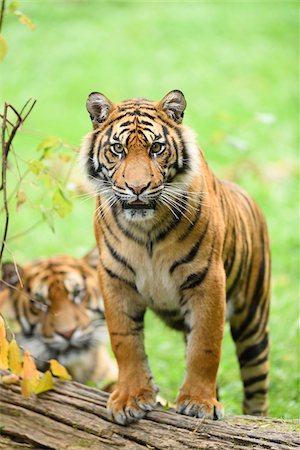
[135,392]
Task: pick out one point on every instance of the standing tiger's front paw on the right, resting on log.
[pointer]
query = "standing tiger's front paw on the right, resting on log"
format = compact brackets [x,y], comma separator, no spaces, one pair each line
[197,406]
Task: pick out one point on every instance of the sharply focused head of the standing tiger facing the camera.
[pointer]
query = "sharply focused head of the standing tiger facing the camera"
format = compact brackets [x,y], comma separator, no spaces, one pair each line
[139,154]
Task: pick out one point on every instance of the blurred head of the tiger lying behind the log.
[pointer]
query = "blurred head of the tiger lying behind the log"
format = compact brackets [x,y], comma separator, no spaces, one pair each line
[58,305]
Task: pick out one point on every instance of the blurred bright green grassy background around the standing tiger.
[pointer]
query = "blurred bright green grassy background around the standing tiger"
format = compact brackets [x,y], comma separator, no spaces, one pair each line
[234,61]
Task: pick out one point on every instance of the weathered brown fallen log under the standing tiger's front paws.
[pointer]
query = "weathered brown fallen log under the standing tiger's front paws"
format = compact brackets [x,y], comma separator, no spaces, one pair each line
[73,416]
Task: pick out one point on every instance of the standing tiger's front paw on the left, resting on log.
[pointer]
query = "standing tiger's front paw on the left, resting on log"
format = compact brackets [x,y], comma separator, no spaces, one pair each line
[125,407]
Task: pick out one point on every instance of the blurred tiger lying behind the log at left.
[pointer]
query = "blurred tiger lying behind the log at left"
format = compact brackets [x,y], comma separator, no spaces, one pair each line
[56,308]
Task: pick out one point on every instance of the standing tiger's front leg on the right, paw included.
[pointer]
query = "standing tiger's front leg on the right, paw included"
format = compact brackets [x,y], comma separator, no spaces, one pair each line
[205,318]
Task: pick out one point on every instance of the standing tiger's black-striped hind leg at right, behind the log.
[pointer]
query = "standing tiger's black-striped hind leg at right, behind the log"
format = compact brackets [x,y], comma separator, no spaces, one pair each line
[249,329]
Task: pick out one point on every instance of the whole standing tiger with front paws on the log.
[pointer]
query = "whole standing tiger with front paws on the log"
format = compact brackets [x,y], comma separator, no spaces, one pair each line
[175,239]
